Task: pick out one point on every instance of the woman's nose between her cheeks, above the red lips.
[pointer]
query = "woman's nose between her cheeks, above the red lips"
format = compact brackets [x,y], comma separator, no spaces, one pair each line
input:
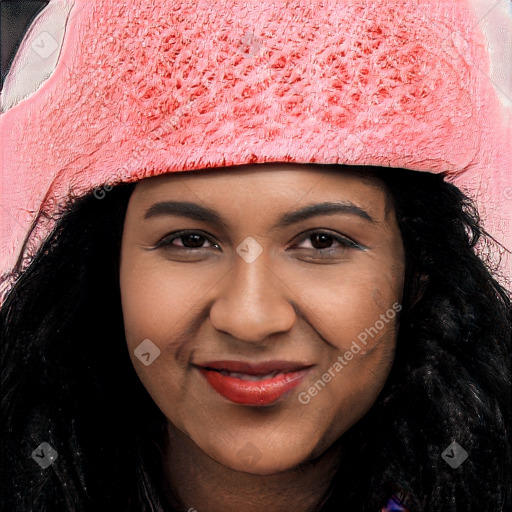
[252,302]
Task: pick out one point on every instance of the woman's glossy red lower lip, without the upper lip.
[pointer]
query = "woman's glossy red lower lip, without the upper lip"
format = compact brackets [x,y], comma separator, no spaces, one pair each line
[261,392]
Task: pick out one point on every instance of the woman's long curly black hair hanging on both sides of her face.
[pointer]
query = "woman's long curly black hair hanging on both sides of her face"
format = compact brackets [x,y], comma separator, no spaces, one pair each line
[67,378]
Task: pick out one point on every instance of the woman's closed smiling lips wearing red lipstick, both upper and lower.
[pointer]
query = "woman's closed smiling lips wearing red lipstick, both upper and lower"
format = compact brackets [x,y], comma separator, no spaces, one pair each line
[253,384]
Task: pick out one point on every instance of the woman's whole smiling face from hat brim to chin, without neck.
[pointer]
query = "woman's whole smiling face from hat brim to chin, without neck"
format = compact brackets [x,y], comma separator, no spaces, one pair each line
[260,305]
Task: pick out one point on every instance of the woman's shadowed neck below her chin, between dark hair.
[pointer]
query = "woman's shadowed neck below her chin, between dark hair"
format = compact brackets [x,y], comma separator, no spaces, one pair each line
[200,483]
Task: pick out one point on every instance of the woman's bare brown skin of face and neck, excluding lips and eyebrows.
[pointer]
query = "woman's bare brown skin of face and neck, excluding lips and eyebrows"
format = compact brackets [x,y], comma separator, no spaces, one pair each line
[294,302]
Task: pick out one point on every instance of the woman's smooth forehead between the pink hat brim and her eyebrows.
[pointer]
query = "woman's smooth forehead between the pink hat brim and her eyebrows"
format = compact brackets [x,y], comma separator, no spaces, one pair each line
[277,189]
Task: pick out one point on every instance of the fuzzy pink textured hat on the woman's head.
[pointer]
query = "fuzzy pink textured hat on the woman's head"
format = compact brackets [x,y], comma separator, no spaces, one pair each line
[139,88]
